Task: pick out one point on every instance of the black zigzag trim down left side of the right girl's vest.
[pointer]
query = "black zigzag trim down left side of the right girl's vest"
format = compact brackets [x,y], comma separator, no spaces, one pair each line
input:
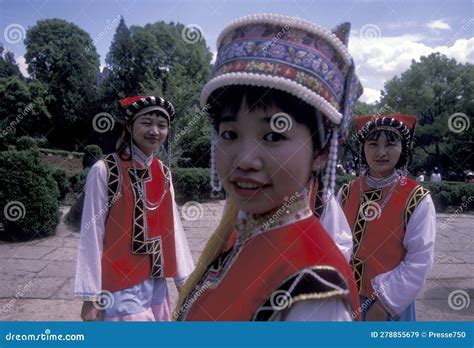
[358,233]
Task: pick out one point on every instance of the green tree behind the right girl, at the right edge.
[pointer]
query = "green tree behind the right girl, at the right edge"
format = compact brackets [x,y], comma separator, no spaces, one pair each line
[434,89]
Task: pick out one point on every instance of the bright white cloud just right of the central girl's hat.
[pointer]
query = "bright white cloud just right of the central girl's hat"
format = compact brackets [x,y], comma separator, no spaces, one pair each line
[386,57]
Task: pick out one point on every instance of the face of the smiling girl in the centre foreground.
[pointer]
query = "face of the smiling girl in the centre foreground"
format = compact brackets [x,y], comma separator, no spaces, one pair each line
[258,166]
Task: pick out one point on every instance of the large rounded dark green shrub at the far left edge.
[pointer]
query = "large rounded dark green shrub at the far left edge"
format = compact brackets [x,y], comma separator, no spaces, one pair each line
[29,197]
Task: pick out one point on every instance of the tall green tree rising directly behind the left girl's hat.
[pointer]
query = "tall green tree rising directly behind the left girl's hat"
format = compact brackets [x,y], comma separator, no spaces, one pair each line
[155,60]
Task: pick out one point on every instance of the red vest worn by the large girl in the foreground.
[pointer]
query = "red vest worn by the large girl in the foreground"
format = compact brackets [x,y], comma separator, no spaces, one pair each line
[247,280]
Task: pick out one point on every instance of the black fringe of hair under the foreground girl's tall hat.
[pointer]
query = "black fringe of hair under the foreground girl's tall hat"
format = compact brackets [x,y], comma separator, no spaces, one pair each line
[227,100]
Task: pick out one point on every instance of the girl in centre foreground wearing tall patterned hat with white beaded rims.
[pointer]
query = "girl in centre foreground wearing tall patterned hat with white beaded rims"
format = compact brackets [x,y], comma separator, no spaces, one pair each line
[277,109]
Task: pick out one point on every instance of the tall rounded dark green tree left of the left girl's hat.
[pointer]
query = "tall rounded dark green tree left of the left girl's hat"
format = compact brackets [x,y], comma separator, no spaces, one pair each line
[62,56]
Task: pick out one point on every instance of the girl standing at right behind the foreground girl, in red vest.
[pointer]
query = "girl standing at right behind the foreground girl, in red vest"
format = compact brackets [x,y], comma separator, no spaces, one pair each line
[392,218]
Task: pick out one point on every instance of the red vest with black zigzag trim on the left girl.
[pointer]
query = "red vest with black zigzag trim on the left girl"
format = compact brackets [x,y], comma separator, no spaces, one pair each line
[138,243]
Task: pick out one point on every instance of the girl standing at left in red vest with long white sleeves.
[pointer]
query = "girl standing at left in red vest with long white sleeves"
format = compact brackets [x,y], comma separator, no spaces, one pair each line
[131,235]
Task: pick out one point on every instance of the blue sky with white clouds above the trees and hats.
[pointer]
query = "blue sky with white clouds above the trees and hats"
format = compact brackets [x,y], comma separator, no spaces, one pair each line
[386,35]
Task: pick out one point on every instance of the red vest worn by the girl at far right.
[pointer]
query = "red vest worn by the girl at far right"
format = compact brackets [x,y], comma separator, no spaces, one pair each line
[378,238]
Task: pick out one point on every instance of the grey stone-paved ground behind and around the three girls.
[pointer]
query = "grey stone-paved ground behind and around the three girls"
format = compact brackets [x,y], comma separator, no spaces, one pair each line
[37,277]
